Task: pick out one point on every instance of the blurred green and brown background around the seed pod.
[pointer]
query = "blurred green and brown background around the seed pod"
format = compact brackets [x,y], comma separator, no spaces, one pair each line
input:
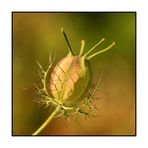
[35,35]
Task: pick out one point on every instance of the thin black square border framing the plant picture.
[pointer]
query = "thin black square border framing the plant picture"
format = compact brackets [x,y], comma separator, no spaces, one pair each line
[75,12]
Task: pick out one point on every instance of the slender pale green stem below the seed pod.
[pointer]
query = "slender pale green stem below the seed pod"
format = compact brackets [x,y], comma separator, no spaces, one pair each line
[47,121]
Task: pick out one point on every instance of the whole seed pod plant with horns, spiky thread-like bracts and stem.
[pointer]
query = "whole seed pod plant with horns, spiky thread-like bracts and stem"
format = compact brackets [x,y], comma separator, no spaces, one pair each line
[69,82]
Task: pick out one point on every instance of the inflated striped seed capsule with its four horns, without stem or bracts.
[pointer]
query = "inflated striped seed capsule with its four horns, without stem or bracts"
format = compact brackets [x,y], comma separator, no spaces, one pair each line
[71,75]
